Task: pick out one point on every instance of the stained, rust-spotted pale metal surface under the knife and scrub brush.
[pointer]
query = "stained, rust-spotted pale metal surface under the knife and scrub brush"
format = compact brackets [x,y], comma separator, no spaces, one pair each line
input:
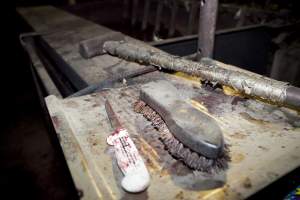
[264,143]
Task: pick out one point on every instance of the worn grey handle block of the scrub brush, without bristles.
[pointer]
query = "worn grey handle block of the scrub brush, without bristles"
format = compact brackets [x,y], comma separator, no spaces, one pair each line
[193,128]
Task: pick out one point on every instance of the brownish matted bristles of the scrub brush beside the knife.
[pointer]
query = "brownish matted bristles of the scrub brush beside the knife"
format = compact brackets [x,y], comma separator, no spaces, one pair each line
[192,159]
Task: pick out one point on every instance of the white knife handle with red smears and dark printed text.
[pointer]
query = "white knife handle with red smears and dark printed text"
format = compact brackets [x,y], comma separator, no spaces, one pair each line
[136,176]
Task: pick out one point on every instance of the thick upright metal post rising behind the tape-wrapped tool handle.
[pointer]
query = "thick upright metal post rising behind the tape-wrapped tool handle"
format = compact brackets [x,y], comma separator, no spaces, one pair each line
[207,26]
